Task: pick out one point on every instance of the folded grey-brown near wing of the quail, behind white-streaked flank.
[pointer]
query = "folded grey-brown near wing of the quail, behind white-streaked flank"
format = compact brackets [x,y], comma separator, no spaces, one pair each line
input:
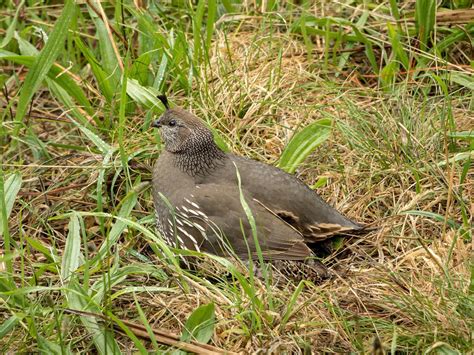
[216,217]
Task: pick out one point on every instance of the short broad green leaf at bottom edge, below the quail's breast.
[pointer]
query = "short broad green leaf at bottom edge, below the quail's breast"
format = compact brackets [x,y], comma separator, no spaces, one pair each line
[200,324]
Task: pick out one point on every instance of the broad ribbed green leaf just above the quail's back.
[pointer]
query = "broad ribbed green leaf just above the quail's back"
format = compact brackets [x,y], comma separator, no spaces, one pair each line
[304,143]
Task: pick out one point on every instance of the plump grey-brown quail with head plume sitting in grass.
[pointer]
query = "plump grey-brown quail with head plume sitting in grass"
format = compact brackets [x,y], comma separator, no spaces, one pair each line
[211,201]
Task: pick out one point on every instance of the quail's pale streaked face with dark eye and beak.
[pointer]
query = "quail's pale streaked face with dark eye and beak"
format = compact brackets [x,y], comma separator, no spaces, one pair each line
[175,131]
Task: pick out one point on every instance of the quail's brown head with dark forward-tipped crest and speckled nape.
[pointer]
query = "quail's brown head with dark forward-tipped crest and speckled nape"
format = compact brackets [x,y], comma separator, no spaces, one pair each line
[182,131]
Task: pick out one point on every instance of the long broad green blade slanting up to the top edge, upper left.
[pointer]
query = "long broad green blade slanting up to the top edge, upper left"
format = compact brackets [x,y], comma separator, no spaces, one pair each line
[44,61]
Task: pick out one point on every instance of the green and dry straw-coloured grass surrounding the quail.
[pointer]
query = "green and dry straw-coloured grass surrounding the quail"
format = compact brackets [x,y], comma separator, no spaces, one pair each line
[79,87]
